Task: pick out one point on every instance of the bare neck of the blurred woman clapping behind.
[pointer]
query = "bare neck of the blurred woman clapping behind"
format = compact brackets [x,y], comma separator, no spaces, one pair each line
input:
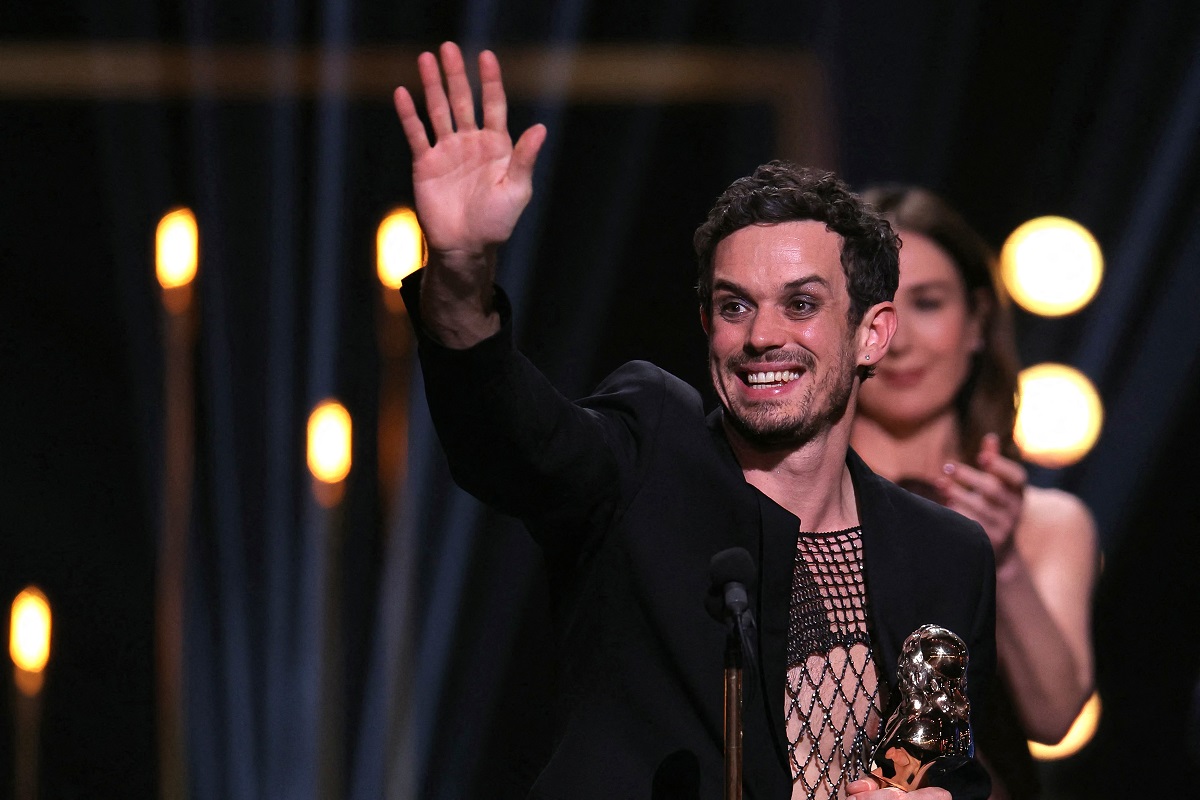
[917,453]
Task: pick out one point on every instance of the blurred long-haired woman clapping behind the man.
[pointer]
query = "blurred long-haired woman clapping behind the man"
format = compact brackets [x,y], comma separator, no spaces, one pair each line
[938,418]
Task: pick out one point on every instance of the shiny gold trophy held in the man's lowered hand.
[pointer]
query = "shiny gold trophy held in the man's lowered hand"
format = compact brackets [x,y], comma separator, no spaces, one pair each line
[929,729]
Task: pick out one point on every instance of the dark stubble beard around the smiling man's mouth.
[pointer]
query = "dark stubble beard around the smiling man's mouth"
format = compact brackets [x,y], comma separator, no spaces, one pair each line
[771,425]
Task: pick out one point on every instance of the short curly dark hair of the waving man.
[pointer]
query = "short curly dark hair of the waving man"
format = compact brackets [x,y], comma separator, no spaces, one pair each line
[784,193]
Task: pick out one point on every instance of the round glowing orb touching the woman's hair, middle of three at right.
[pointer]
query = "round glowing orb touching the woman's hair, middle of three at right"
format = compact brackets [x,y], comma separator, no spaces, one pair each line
[1060,416]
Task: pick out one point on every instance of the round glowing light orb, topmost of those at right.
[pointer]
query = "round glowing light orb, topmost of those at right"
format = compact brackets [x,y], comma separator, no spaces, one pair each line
[1052,266]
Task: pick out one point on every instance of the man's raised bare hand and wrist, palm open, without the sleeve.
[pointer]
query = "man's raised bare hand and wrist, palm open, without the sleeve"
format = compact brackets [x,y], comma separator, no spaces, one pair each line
[471,188]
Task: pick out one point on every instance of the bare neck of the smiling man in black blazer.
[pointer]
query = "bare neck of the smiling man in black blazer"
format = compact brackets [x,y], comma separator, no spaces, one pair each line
[812,482]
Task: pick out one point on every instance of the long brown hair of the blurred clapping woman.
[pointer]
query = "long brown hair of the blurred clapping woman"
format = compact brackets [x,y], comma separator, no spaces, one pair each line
[987,401]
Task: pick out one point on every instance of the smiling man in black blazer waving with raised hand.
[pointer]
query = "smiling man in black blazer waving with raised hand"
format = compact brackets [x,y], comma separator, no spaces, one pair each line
[633,491]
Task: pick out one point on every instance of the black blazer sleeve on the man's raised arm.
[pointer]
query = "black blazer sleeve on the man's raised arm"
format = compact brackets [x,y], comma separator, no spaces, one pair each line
[518,444]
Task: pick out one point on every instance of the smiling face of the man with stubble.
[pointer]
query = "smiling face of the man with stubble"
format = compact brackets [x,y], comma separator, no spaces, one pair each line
[782,351]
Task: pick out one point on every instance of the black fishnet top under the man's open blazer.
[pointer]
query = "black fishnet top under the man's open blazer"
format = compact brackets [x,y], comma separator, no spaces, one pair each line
[835,702]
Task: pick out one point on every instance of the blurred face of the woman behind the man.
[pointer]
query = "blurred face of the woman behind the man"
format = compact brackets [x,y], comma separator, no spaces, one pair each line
[937,335]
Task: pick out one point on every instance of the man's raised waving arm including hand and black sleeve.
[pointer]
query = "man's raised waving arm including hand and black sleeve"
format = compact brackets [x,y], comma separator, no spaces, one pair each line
[509,437]
